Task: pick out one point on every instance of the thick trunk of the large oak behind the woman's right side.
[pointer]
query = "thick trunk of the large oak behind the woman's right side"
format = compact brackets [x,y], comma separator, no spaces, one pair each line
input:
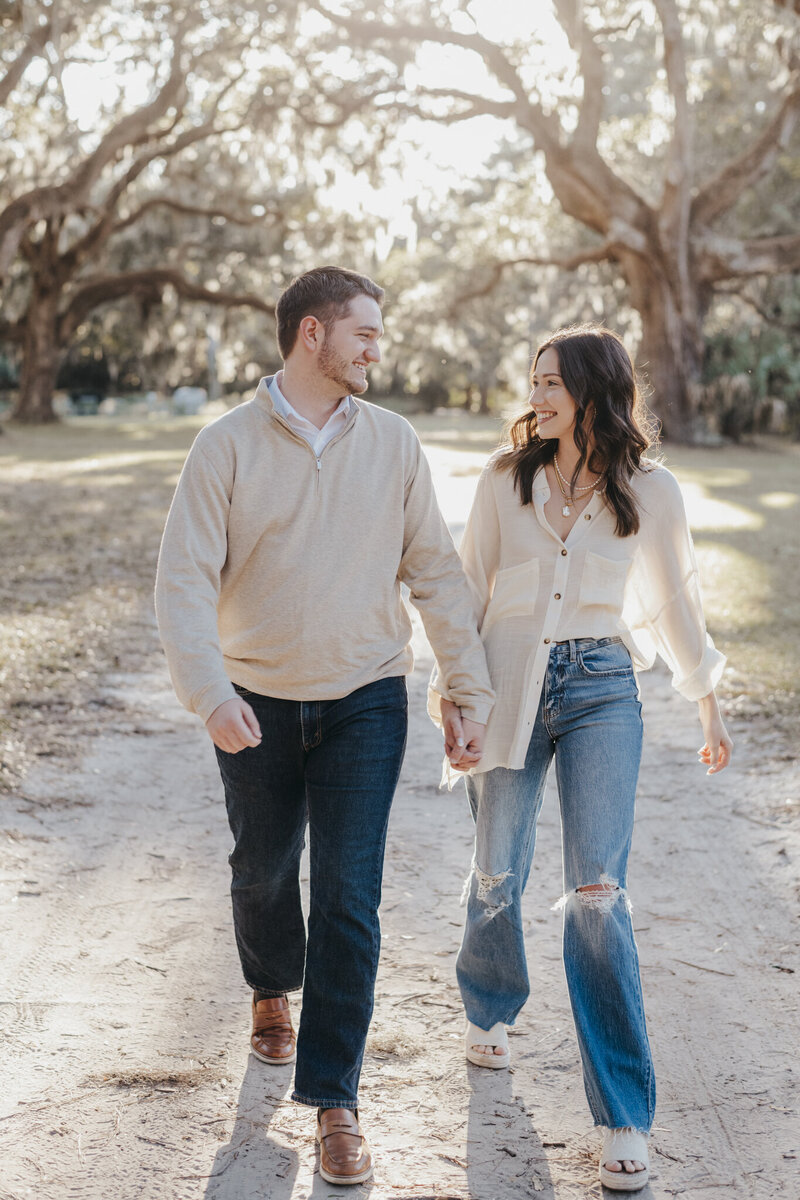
[671,353]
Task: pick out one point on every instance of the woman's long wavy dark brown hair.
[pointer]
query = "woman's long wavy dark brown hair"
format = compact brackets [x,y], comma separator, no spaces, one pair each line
[613,429]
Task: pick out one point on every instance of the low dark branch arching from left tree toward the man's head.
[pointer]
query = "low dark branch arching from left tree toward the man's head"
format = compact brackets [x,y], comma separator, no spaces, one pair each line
[149,285]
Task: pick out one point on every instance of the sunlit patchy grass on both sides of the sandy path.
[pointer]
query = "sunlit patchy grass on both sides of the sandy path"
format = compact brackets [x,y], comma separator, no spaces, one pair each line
[82,507]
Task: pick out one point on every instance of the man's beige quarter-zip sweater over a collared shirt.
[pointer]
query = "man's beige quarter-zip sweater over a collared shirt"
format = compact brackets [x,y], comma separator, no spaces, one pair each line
[281,571]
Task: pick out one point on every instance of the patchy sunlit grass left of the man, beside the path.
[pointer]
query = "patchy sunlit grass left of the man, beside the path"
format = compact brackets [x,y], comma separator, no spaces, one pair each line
[82,507]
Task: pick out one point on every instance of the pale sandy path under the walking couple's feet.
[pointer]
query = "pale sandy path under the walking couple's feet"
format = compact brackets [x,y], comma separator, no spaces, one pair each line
[125,1024]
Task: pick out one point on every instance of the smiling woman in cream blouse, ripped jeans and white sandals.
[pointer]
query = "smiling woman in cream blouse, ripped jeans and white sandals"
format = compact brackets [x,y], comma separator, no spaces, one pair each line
[581,562]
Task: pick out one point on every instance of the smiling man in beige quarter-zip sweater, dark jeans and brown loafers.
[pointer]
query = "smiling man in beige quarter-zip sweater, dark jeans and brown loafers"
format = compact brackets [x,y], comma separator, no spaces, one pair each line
[279,601]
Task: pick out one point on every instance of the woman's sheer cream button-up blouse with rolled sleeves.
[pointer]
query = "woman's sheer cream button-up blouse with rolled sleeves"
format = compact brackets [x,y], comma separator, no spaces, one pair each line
[532,590]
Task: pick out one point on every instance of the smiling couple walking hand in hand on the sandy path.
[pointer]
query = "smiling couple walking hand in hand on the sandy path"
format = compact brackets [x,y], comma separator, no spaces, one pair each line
[297,518]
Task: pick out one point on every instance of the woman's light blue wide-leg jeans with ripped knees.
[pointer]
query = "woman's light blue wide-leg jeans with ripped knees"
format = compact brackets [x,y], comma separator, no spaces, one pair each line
[591,721]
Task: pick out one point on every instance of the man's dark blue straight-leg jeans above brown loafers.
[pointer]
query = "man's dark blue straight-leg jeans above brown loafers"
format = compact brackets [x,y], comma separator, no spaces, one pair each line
[332,766]
